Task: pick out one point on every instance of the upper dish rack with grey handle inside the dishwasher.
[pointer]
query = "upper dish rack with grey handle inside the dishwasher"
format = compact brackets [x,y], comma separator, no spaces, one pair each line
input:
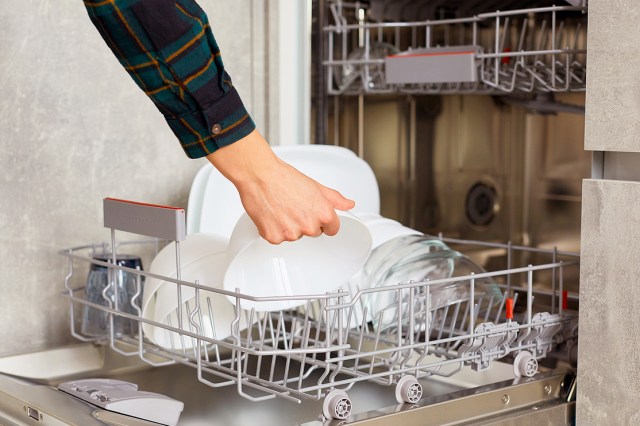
[520,51]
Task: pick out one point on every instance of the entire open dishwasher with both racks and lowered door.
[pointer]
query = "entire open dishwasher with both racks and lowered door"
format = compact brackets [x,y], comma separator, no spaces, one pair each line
[479,359]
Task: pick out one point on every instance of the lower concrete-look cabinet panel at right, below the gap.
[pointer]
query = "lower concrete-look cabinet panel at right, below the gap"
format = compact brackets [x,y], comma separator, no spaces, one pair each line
[609,352]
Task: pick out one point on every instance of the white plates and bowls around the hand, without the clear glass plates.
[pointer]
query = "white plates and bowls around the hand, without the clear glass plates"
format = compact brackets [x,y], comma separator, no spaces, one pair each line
[248,264]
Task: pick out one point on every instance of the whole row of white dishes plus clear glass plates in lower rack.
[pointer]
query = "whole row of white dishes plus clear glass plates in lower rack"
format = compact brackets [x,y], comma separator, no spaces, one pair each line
[225,252]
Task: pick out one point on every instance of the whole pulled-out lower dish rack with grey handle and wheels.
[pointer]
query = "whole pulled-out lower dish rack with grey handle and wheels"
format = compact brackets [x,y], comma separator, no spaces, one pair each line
[329,343]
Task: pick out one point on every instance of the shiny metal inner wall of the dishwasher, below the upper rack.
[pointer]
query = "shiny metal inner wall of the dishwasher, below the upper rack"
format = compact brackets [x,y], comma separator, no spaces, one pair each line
[471,166]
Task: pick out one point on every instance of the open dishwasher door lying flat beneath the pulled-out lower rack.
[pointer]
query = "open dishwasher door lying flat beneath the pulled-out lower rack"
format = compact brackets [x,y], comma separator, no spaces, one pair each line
[458,400]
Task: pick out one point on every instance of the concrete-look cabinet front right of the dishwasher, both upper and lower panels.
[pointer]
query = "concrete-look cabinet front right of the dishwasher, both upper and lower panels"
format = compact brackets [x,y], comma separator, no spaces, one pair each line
[609,352]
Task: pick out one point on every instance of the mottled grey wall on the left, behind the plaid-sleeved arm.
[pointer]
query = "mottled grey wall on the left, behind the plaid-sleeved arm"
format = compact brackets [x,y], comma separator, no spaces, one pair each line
[74,129]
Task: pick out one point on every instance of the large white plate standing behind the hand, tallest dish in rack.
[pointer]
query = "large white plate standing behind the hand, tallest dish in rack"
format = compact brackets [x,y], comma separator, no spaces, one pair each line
[332,166]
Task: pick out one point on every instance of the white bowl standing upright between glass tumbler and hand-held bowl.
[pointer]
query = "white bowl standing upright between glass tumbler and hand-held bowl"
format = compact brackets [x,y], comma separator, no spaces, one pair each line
[202,259]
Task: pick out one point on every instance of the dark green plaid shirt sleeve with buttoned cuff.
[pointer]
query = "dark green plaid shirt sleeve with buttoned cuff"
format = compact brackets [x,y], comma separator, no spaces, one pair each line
[167,47]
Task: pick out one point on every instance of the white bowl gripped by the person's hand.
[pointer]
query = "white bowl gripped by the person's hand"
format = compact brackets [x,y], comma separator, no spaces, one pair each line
[309,266]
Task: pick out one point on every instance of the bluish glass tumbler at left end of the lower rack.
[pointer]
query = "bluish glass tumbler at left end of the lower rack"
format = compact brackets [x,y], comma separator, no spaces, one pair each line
[99,290]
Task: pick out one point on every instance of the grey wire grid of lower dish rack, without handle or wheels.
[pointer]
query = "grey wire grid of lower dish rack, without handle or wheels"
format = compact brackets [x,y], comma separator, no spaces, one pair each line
[329,341]
